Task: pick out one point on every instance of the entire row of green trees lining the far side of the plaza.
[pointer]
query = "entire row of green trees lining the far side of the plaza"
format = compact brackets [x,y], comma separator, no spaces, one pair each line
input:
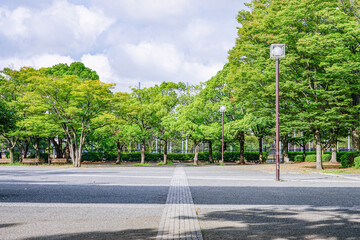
[319,84]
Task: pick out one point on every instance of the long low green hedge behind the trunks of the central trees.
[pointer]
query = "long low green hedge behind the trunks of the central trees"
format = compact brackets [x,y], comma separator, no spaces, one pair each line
[155,157]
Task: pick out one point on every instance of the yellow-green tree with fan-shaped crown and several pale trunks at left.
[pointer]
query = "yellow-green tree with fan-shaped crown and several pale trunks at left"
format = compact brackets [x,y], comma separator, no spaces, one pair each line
[78,106]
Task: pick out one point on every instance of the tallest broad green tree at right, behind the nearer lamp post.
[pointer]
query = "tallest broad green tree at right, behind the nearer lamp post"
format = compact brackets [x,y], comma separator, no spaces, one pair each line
[318,67]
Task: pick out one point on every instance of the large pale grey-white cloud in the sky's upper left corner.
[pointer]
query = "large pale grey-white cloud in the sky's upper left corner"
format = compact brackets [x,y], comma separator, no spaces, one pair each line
[63,27]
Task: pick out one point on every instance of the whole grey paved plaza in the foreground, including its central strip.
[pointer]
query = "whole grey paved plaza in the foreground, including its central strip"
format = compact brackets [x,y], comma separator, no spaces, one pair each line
[177,202]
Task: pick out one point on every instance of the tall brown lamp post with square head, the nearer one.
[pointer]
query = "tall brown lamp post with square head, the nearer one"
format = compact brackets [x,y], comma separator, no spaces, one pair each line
[277,51]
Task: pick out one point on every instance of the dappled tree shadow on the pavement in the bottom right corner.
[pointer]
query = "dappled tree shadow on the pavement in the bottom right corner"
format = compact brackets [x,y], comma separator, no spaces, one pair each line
[280,224]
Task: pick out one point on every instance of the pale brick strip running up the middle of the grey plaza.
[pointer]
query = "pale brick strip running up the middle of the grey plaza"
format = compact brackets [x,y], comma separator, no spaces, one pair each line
[179,219]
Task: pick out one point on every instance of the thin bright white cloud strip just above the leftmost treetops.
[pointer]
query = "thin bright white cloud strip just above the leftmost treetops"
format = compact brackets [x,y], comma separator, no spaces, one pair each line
[37,61]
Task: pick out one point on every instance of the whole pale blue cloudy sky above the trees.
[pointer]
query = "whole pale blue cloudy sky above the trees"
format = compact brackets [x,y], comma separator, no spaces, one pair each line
[125,41]
